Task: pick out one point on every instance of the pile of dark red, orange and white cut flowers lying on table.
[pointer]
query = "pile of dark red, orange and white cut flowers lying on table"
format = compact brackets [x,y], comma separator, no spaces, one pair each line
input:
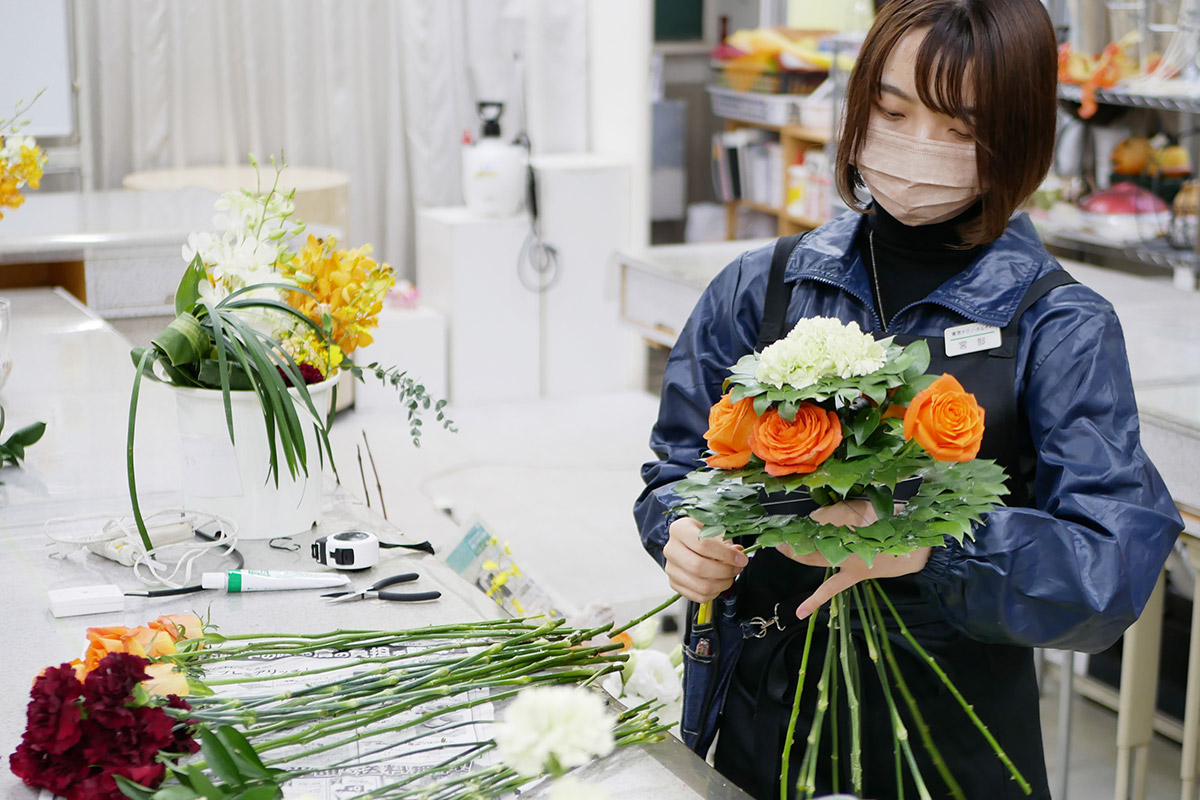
[409,713]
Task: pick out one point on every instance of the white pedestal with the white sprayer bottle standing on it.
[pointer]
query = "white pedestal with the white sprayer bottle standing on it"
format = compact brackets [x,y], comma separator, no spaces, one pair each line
[466,269]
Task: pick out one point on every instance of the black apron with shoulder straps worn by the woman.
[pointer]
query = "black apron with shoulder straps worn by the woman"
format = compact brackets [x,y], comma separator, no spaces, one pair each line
[998,681]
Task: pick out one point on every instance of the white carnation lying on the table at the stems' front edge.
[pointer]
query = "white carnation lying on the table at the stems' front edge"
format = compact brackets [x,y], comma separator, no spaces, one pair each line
[554,725]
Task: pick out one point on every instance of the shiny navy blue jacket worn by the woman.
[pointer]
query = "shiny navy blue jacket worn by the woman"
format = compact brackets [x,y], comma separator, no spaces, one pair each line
[1073,573]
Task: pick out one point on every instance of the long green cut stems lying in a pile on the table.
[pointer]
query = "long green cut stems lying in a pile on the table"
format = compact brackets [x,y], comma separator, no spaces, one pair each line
[393,702]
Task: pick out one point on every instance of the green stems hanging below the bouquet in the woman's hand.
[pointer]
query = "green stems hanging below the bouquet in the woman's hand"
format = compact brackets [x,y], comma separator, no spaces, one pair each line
[841,673]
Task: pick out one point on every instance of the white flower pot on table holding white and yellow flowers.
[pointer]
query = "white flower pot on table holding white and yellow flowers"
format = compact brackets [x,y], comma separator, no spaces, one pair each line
[233,480]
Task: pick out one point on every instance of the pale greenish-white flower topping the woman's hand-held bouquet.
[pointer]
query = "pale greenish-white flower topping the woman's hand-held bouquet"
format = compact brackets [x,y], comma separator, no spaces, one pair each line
[820,347]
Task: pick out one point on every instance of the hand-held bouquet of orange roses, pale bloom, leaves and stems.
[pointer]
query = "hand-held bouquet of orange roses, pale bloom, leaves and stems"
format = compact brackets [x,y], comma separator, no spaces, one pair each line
[830,414]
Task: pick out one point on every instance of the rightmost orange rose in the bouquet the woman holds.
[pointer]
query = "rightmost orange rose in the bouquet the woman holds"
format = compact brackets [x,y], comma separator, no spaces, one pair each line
[946,422]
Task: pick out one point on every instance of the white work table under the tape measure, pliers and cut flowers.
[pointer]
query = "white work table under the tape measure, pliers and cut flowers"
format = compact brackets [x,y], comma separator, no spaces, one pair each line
[73,371]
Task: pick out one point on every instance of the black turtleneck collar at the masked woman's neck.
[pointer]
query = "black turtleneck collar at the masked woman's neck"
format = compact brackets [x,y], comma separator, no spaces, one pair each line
[914,260]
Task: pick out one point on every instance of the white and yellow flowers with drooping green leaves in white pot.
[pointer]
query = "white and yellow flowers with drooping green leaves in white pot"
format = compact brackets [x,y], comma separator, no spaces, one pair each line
[253,315]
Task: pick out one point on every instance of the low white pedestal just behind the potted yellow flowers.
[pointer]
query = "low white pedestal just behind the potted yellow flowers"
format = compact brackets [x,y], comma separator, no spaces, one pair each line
[413,340]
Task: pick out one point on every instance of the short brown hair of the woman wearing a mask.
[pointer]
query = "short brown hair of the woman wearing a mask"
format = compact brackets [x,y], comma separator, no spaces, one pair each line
[1007,50]
